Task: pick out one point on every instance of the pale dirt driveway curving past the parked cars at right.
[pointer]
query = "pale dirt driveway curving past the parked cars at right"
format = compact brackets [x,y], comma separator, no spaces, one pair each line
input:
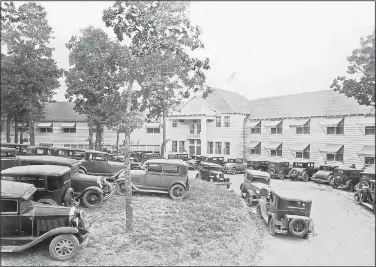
[344,231]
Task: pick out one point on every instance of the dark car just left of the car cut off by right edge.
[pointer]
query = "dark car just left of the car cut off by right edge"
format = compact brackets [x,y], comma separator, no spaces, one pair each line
[346,177]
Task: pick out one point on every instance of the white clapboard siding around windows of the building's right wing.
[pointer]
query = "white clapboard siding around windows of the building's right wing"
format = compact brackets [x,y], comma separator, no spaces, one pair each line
[353,139]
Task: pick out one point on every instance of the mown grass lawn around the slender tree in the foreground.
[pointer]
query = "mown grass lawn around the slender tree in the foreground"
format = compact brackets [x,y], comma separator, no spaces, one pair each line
[211,226]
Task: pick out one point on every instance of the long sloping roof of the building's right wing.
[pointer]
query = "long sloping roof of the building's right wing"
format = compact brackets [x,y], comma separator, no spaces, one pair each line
[318,103]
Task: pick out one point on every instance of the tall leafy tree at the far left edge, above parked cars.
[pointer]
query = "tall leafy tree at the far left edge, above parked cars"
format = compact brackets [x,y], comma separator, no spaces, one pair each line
[29,75]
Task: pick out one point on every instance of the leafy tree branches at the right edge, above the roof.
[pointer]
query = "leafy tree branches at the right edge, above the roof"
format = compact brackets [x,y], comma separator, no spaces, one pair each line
[360,81]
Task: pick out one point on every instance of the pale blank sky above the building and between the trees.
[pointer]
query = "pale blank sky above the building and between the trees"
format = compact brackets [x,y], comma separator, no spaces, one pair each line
[276,48]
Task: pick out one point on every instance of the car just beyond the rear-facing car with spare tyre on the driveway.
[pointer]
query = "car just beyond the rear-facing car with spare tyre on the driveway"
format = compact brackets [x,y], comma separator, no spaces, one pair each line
[256,185]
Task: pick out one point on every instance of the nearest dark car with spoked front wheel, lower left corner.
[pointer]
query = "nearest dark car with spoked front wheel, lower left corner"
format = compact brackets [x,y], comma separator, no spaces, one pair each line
[25,223]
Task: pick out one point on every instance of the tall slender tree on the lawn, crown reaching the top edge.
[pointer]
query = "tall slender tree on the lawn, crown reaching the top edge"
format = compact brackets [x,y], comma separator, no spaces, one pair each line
[153,29]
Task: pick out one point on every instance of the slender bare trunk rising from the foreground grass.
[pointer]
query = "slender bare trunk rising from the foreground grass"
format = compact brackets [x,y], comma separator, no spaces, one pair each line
[127,155]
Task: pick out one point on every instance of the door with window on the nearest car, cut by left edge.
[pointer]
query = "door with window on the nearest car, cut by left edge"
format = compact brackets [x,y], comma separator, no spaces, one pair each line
[10,220]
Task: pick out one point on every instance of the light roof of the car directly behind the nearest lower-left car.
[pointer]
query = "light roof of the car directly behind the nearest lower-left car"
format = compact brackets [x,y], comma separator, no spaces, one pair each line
[44,170]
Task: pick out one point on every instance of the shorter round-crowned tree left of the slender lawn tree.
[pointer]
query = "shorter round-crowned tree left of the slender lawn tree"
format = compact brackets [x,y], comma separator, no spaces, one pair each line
[97,72]
